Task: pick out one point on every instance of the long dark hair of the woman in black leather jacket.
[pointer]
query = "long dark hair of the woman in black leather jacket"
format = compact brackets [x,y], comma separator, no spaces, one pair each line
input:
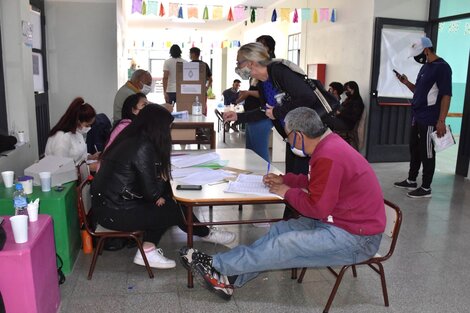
[154,123]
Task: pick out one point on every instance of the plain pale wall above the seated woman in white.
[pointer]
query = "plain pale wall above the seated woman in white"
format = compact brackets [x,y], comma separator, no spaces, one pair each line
[82,52]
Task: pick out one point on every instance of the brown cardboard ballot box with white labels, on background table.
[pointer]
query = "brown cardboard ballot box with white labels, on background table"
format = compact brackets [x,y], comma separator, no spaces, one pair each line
[190,83]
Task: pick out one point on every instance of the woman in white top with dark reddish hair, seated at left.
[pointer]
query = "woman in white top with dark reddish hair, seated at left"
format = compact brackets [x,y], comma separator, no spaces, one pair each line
[66,139]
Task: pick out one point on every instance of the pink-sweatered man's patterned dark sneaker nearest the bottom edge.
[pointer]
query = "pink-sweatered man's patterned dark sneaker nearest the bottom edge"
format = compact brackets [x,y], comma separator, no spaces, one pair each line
[213,280]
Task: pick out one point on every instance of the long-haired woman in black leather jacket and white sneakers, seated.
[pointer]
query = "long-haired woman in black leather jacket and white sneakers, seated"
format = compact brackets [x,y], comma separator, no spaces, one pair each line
[132,190]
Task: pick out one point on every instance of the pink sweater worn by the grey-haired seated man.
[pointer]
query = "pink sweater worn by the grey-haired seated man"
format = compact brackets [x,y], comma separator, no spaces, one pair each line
[342,189]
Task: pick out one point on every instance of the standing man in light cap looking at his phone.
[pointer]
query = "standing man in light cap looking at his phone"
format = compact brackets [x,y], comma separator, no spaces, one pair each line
[429,107]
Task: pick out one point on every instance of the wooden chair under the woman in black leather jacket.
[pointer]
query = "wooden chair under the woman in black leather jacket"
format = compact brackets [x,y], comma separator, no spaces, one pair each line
[101,233]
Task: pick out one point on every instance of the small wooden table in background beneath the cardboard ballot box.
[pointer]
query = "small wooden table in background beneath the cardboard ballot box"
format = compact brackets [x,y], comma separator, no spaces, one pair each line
[184,131]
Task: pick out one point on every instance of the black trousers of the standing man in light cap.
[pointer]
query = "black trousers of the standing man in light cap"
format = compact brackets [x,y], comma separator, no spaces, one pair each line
[422,152]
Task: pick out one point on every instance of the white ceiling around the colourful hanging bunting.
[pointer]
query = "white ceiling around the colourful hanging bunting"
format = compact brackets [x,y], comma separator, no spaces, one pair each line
[152,21]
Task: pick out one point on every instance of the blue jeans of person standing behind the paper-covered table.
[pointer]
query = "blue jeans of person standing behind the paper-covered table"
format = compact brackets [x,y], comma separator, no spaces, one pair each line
[257,137]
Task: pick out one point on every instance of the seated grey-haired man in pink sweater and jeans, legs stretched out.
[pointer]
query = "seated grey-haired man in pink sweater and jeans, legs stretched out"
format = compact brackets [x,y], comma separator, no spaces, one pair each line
[341,206]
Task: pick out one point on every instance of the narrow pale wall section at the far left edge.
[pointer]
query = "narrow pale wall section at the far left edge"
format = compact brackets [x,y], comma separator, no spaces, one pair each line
[18,73]
